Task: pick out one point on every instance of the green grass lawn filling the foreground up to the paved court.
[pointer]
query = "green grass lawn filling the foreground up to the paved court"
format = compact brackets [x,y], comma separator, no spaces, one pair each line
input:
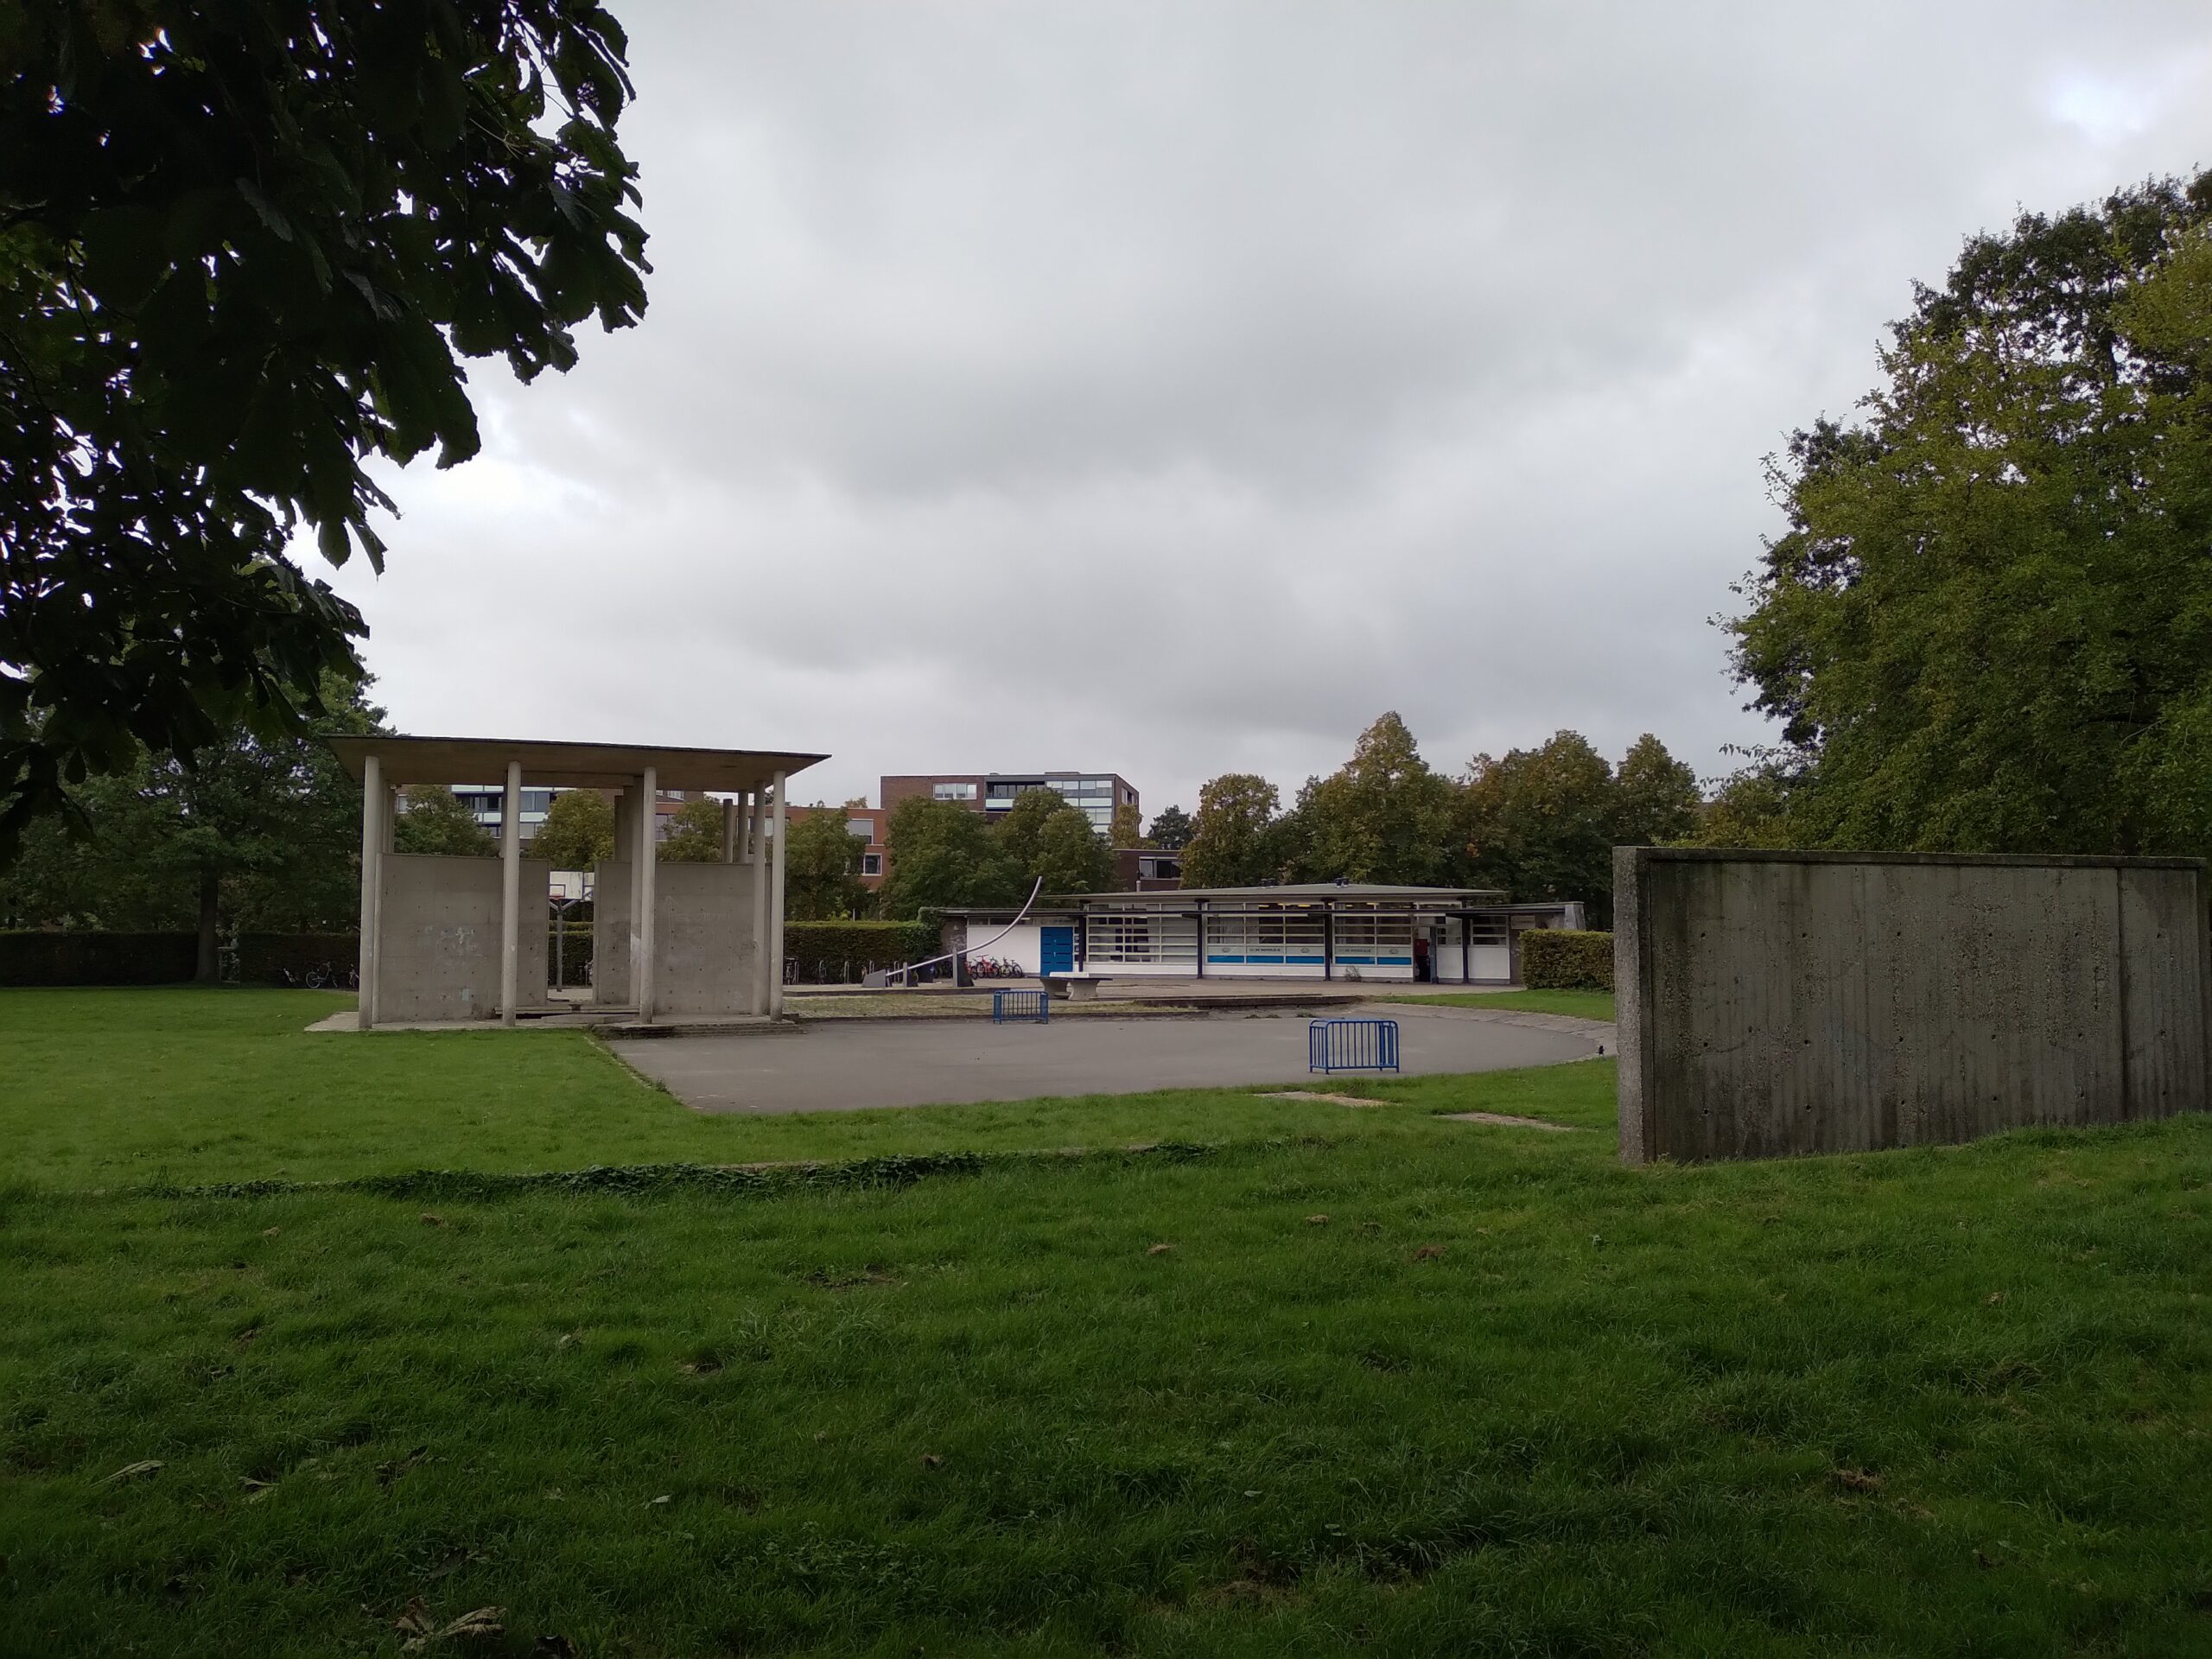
[1392,1386]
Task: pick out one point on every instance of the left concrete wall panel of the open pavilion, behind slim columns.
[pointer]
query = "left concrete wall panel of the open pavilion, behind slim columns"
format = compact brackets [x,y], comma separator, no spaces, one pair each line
[439,937]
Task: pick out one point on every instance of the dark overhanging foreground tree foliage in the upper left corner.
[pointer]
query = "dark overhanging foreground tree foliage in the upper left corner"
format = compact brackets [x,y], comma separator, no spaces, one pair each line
[240,251]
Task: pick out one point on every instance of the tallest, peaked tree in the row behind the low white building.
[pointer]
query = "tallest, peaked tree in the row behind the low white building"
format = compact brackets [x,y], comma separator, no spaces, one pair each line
[1384,817]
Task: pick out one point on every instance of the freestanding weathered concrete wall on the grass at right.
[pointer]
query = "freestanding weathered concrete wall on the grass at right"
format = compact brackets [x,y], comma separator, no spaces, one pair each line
[1833,1003]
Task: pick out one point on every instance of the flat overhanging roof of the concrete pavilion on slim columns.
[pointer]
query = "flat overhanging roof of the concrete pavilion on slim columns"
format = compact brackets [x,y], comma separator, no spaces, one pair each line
[565,766]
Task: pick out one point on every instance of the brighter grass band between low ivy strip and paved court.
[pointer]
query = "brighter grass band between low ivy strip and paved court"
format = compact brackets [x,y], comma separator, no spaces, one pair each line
[129,1089]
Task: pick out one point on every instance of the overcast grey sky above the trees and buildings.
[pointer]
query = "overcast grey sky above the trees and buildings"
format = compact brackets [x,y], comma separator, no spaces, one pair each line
[1171,390]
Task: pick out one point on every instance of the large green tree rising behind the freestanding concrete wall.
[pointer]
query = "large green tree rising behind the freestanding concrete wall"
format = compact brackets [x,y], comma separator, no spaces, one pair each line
[1990,623]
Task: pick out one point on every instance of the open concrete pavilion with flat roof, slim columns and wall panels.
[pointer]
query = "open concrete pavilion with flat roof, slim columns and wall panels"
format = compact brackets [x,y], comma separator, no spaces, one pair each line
[667,939]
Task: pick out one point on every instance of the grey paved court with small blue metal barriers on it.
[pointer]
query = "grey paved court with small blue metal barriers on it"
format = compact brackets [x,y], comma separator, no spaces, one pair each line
[928,1063]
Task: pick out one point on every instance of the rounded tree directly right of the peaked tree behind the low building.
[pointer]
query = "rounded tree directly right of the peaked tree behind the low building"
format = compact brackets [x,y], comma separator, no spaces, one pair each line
[1538,824]
